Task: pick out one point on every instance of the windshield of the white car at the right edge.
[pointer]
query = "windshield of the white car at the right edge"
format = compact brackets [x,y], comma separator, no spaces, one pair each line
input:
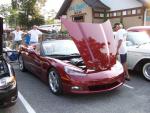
[138,38]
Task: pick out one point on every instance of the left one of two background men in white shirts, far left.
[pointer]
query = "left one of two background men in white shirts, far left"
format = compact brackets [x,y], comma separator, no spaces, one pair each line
[17,37]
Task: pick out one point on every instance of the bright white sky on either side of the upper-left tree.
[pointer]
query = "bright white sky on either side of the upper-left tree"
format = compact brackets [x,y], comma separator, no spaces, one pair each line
[51,4]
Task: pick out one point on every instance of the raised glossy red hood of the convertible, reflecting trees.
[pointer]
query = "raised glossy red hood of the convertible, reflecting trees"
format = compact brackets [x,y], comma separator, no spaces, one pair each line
[95,43]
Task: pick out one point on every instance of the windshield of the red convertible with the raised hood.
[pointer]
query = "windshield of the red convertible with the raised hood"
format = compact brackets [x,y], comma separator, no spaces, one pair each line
[60,47]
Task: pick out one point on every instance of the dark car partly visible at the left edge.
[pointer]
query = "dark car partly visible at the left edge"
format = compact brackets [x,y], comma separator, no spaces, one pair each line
[8,85]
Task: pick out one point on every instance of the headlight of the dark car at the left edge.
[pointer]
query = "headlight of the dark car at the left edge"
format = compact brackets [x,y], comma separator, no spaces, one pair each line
[7,81]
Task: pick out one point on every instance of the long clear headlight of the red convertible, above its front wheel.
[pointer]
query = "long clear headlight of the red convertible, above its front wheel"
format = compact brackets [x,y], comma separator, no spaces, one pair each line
[74,71]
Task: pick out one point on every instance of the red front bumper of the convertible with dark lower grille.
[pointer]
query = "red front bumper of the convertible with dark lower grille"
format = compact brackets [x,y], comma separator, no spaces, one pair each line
[94,86]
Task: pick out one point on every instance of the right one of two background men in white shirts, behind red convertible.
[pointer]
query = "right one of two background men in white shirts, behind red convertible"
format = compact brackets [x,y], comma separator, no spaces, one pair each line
[35,33]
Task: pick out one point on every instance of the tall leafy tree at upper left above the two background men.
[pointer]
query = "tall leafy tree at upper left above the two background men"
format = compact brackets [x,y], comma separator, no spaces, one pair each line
[29,12]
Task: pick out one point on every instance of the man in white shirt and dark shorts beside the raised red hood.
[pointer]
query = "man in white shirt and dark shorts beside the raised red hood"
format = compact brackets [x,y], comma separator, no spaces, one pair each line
[120,37]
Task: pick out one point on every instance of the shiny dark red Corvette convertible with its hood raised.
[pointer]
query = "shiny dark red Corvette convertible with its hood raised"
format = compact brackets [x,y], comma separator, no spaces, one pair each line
[81,65]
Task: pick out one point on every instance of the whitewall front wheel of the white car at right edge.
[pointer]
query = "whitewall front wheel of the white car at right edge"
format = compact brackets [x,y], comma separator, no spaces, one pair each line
[146,71]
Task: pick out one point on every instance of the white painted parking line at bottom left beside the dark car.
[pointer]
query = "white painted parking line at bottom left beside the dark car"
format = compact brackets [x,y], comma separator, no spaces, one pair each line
[25,103]
